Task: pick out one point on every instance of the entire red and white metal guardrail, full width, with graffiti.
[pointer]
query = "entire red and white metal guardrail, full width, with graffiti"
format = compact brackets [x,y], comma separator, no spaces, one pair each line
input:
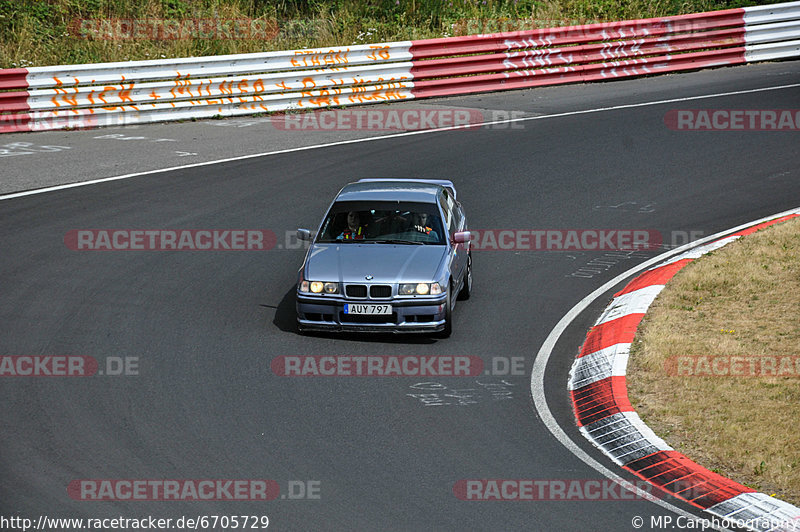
[90,95]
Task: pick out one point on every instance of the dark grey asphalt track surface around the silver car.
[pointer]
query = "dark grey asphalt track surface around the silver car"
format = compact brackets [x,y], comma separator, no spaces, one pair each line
[206,324]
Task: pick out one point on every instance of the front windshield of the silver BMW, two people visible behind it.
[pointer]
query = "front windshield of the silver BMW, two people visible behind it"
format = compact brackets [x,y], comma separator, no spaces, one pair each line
[382,222]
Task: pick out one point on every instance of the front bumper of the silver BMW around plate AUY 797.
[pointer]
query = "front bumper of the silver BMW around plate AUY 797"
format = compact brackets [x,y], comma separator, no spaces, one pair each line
[408,316]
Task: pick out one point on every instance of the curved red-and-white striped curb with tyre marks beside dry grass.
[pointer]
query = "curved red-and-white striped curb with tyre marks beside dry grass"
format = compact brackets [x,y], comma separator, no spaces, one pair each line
[606,418]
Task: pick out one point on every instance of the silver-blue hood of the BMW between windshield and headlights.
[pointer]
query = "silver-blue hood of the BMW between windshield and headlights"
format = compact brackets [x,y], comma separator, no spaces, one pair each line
[386,263]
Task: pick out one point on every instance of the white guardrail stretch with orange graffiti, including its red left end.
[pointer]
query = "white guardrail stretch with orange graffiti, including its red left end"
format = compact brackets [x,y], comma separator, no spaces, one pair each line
[202,87]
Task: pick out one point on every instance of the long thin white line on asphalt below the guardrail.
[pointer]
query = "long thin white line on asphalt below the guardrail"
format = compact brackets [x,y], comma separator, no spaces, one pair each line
[394,135]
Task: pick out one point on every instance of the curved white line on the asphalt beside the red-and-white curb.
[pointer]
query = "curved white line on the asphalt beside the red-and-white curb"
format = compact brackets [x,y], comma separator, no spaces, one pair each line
[543,356]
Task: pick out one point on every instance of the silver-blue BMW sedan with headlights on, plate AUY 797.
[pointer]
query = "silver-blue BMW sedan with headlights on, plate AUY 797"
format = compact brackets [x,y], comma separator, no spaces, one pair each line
[390,255]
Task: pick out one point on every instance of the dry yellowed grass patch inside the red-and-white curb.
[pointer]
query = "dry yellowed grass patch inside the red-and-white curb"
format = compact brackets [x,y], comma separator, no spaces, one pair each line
[740,301]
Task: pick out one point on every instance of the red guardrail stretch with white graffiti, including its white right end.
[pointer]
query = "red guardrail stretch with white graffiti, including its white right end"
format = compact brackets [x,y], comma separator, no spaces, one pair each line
[605,51]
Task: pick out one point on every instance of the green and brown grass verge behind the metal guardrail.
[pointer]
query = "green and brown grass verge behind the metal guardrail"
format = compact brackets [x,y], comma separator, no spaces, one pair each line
[50,32]
